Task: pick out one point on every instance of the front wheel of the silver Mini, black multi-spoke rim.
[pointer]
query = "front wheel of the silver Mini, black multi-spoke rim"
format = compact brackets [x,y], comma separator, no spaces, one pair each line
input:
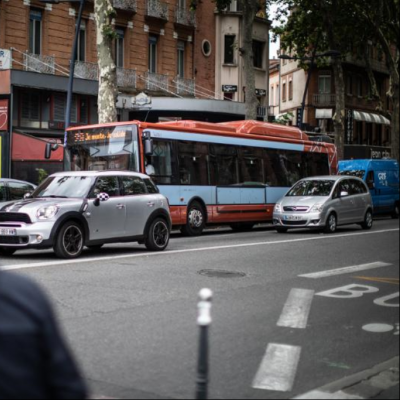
[70,241]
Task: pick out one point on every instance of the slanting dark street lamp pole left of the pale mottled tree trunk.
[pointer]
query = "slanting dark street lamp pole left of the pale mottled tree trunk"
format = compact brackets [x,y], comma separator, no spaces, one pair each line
[73,59]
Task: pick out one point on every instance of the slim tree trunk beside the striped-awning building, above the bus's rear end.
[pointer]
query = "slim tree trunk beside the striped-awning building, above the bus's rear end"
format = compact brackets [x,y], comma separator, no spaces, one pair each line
[339,117]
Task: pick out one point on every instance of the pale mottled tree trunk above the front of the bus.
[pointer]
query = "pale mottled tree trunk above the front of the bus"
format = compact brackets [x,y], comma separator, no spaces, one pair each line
[104,13]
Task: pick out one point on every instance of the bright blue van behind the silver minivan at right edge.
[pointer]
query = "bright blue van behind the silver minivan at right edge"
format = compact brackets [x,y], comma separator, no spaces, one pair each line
[382,178]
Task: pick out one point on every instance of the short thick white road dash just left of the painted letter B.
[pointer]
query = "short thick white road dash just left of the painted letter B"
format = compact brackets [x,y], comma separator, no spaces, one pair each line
[297,309]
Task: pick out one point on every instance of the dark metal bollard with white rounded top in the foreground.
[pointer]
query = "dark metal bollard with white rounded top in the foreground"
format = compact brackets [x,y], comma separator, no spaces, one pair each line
[204,321]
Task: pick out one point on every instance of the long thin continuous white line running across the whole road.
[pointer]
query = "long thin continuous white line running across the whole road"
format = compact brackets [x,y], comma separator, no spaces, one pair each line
[172,252]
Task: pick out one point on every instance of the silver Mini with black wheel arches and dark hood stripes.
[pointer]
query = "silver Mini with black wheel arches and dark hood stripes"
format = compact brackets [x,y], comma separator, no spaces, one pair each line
[71,210]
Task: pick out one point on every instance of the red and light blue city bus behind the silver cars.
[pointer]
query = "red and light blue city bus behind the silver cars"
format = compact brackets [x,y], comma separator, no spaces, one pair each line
[228,173]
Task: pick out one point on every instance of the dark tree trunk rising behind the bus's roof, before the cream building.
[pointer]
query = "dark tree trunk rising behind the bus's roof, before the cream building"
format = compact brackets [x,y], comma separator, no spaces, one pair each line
[250,8]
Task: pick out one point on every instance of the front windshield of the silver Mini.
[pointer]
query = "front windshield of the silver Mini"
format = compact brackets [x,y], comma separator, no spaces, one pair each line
[64,187]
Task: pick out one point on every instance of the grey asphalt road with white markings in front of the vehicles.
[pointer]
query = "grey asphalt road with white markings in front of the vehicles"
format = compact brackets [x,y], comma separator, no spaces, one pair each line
[130,315]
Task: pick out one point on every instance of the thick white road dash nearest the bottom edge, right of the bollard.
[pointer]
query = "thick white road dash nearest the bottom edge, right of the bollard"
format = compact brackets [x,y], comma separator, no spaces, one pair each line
[278,369]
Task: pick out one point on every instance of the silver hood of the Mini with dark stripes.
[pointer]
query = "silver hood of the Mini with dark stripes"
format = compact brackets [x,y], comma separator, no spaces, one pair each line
[31,206]
